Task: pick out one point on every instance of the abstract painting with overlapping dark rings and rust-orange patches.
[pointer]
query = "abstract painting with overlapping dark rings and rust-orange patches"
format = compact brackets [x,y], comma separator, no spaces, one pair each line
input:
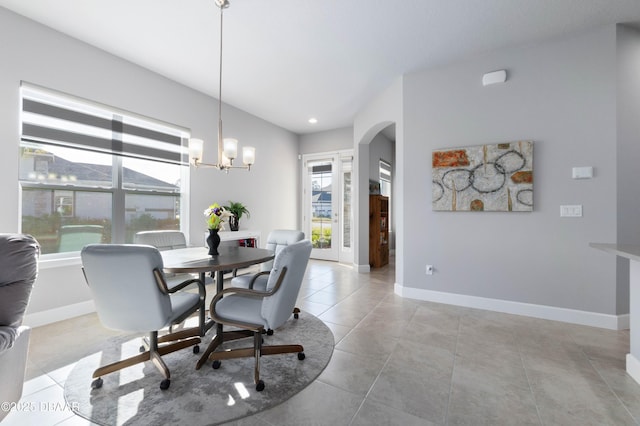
[496,177]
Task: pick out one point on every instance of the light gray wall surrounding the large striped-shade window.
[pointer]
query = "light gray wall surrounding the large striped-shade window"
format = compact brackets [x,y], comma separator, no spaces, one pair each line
[39,55]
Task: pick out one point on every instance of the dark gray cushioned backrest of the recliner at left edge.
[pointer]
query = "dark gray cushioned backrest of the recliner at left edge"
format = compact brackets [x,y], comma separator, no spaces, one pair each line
[18,272]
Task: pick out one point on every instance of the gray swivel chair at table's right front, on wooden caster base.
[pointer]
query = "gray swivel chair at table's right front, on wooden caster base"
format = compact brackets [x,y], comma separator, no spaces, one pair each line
[255,311]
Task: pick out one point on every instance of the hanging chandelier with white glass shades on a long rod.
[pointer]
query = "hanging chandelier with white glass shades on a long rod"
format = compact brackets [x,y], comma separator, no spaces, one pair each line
[227,147]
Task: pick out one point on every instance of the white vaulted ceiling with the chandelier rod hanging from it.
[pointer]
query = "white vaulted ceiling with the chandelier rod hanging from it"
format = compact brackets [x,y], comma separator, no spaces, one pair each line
[288,60]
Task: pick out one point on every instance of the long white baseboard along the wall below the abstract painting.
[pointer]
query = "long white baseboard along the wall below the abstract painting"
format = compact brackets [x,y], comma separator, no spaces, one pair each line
[593,319]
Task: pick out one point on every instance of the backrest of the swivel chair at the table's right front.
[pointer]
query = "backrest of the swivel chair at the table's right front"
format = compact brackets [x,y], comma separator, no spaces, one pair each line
[276,309]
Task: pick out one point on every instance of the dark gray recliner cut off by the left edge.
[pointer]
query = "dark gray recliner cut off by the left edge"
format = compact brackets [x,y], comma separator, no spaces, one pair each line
[18,272]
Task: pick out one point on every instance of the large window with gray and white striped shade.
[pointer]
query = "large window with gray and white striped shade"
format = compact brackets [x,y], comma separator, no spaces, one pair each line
[90,173]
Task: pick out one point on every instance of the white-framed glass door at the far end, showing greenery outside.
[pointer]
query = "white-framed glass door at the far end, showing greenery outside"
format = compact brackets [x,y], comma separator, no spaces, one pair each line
[326,211]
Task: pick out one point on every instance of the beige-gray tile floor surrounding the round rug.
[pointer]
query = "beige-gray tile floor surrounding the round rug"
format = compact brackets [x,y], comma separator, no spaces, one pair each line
[401,362]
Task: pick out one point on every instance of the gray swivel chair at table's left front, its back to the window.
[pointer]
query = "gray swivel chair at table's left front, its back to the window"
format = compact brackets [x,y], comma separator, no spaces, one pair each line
[131,294]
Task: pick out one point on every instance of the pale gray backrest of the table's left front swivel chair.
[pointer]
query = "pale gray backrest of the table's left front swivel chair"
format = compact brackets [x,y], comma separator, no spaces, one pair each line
[123,286]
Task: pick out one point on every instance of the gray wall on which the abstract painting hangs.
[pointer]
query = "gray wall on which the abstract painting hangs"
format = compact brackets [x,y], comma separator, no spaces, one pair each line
[560,94]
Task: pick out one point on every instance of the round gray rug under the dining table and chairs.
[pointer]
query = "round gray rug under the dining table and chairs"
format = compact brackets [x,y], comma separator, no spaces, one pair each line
[198,397]
